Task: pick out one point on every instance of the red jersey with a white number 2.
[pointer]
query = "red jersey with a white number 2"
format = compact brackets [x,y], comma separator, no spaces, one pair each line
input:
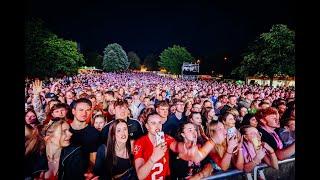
[143,148]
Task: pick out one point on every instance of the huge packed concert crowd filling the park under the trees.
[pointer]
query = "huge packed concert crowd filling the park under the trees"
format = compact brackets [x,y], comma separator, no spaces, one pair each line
[107,126]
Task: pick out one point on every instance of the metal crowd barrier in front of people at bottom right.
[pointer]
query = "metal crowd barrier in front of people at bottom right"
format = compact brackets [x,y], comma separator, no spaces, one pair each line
[257,170]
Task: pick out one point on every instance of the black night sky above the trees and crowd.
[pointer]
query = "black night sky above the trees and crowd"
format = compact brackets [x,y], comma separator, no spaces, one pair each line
[210,30]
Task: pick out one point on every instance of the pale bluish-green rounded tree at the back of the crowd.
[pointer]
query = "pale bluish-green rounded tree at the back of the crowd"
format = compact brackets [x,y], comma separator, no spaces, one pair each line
[115,58]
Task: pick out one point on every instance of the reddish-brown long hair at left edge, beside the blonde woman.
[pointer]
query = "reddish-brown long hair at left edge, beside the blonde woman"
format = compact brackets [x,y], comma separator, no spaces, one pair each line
[34,143]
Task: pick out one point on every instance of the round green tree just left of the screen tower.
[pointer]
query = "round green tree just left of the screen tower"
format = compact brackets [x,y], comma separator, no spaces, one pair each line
[172,58]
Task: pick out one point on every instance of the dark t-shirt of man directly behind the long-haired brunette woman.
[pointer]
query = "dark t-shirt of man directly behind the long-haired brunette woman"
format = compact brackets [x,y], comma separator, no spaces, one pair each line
[134,128]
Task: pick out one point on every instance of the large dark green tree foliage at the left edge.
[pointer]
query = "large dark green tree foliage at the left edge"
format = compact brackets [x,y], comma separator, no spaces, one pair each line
[46,54]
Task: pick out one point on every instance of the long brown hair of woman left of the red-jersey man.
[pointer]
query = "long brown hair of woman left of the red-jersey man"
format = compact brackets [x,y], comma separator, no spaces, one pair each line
[111,159]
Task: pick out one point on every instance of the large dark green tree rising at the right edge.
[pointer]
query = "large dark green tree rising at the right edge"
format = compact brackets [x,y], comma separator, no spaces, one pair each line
[273,53]
